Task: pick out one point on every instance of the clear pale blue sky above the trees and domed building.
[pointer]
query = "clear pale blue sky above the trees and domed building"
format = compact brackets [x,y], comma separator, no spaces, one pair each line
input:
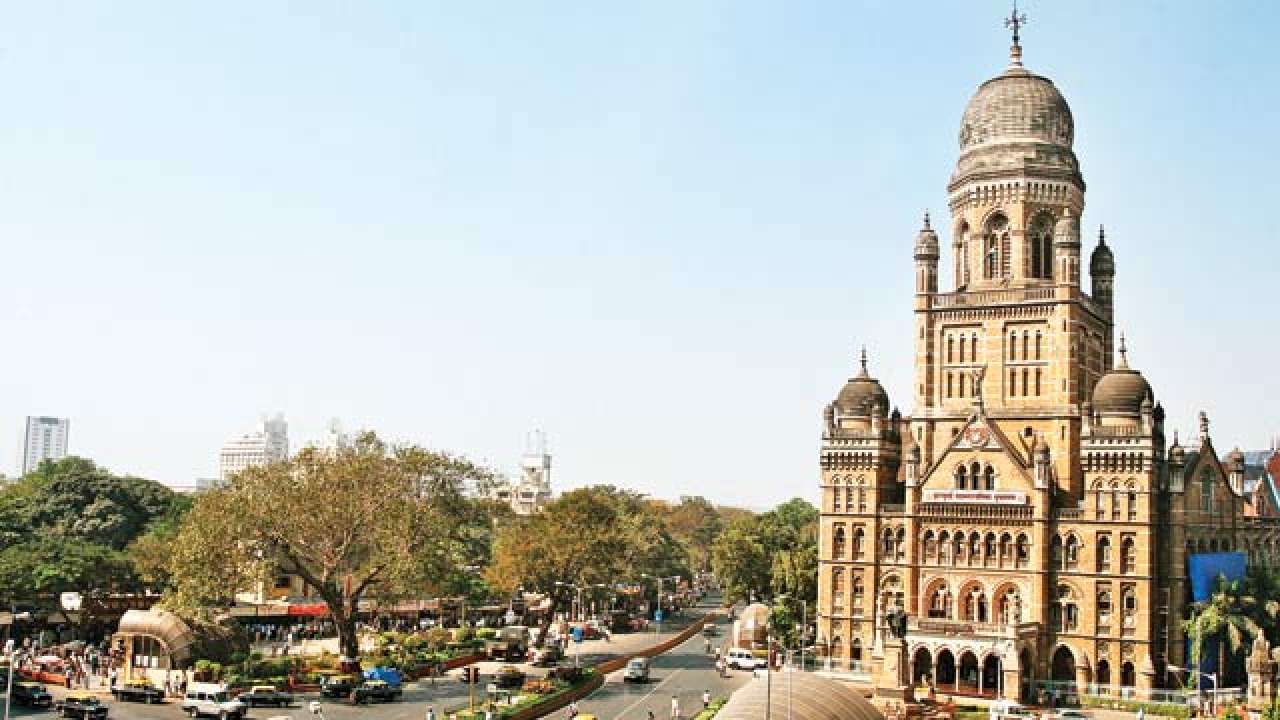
[659,231]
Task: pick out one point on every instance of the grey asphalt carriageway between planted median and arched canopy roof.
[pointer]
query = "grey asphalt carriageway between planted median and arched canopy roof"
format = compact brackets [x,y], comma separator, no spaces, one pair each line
[684,673]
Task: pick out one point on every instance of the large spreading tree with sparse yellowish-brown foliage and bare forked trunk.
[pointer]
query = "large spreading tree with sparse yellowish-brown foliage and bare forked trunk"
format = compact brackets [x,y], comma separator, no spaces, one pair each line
[363,521]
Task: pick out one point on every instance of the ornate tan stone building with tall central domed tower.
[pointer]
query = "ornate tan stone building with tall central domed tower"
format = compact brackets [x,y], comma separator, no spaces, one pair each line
[1032,517]
